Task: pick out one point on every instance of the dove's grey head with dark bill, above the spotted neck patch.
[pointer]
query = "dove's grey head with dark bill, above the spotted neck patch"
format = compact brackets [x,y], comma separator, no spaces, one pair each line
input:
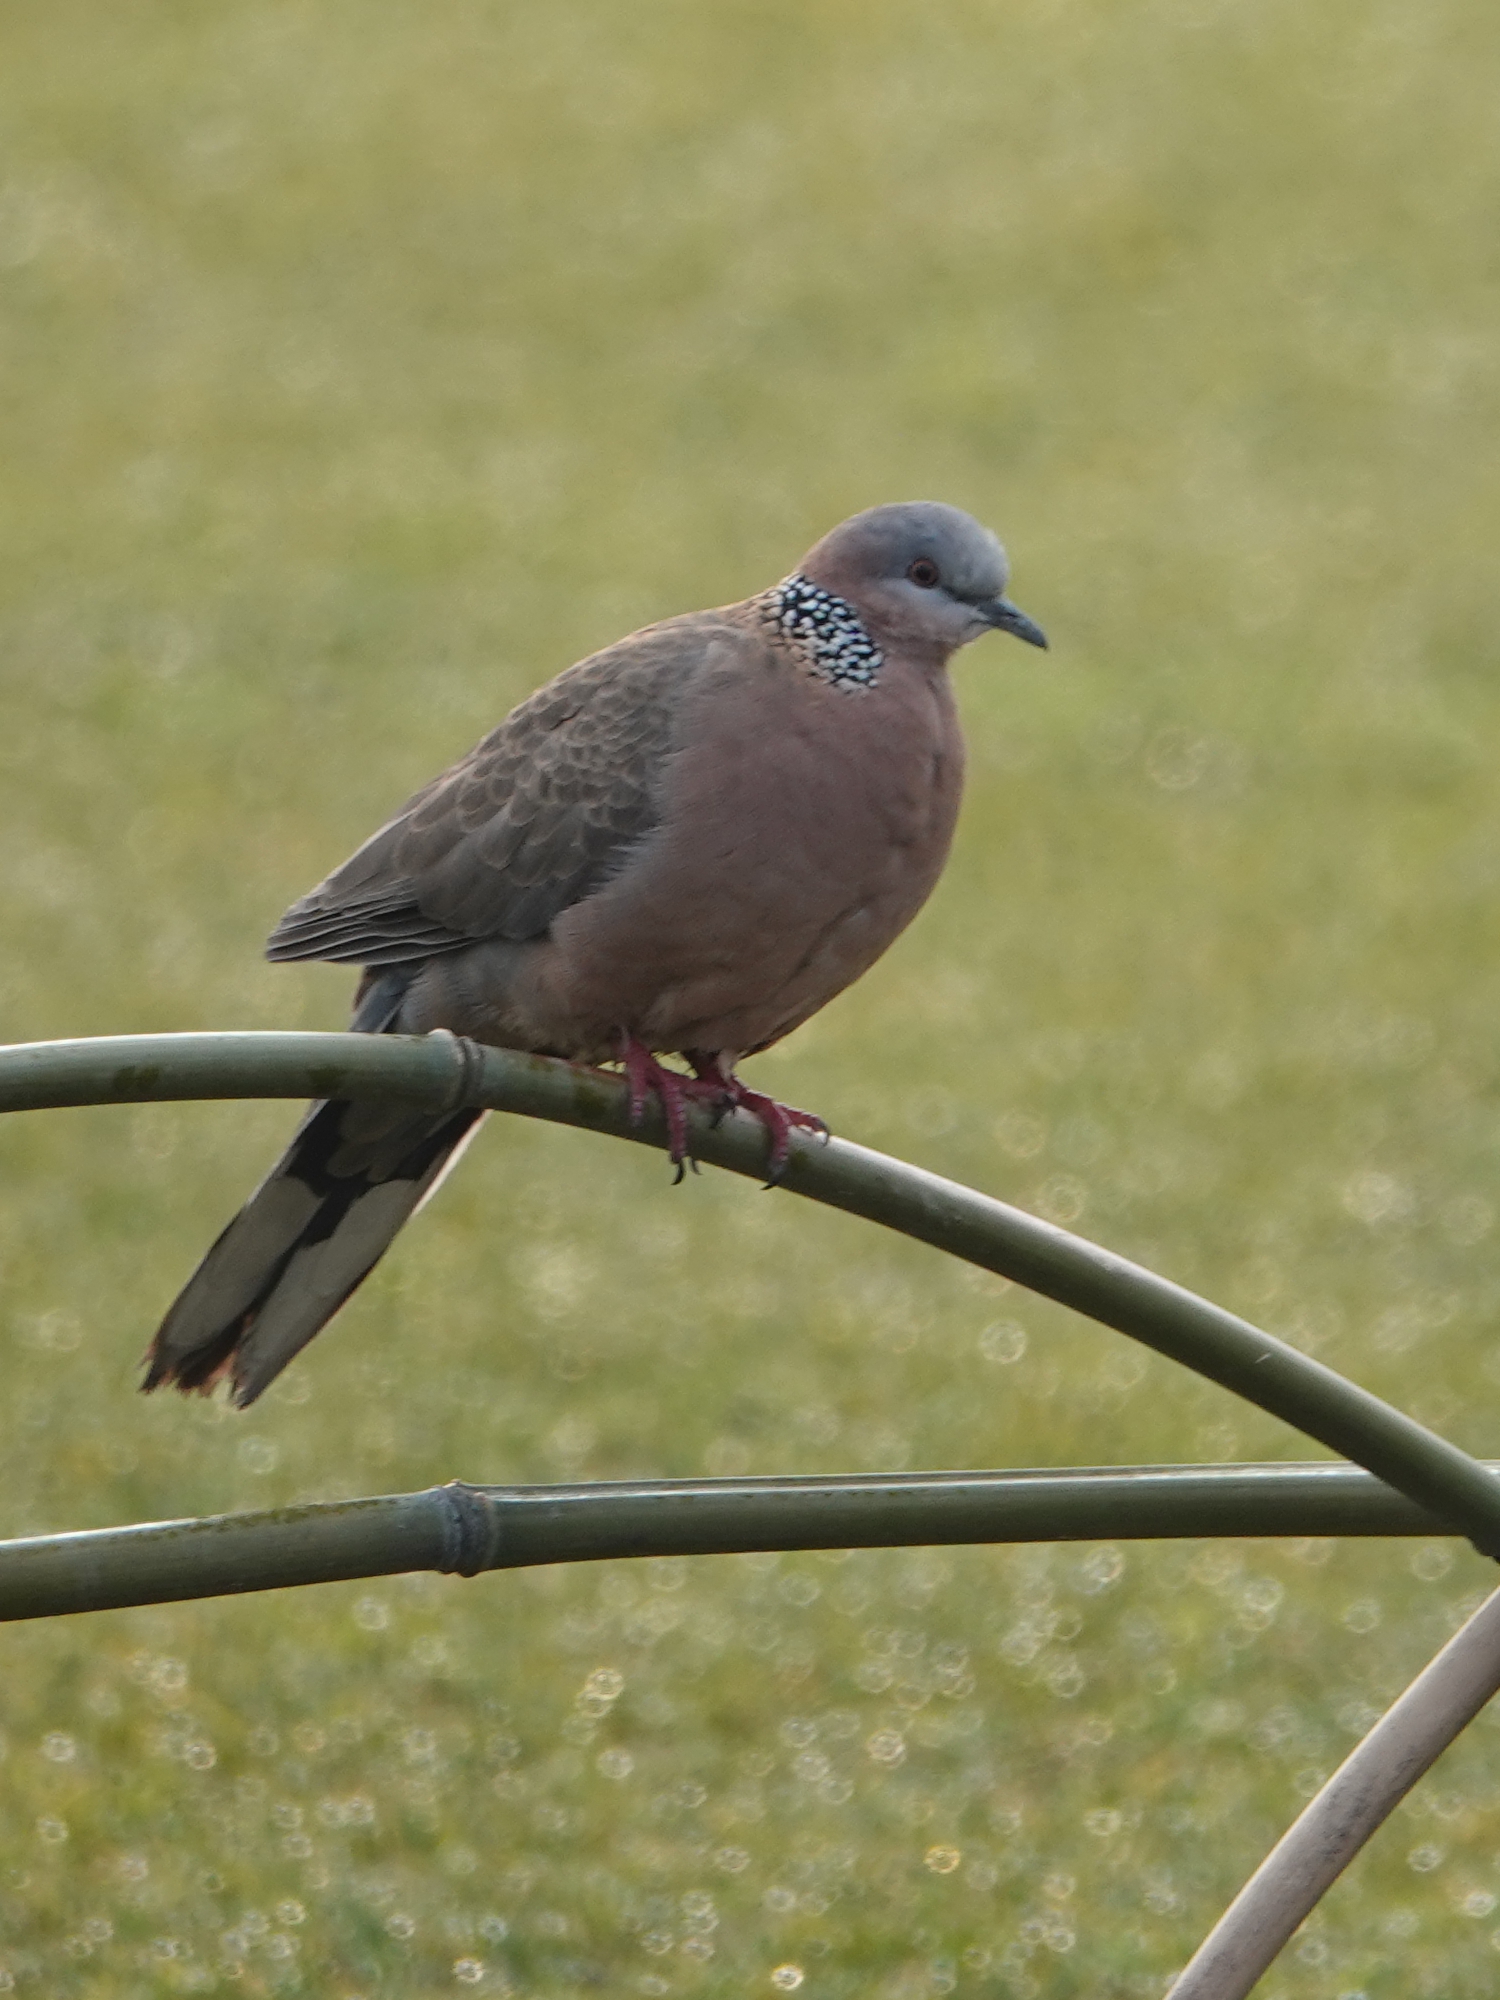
[921,575]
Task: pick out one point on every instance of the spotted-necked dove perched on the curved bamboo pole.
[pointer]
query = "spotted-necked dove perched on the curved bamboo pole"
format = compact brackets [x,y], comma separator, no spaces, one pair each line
[683,845]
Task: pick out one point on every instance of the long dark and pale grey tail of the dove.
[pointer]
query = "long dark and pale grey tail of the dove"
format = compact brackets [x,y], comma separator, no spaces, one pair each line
[313,1231]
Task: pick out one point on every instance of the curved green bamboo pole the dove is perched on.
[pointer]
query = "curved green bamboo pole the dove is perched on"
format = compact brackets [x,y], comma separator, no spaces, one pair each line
[445,1073]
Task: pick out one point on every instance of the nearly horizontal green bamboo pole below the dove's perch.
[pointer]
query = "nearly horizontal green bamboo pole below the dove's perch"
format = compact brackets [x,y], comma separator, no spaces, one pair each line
[471,1529]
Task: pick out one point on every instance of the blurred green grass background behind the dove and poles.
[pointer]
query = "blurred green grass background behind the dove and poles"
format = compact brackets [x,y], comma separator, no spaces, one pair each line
[361,369]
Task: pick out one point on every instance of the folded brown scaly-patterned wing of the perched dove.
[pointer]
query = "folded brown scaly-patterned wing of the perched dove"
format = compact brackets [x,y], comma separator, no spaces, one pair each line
[527,825]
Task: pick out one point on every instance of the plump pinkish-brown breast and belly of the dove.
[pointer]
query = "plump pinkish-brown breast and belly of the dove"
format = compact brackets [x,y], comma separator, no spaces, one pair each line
[805,829]
